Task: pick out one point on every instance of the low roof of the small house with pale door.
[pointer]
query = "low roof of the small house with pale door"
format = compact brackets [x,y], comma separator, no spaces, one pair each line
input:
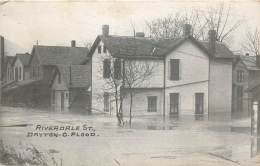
[75,76]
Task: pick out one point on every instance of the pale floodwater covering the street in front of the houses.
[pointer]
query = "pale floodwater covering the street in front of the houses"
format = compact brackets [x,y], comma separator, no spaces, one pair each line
[150,141]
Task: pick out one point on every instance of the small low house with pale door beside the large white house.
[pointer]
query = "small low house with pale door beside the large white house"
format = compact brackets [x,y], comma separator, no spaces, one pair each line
[70,88]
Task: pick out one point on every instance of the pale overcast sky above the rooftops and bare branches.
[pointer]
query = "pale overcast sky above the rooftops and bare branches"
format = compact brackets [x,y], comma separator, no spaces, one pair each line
[23,23]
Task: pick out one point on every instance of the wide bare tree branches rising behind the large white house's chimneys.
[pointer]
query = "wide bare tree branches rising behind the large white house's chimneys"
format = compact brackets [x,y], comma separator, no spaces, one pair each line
[218,18]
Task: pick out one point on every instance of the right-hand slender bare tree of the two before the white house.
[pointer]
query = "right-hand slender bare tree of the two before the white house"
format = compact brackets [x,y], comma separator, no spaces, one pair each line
[135,74]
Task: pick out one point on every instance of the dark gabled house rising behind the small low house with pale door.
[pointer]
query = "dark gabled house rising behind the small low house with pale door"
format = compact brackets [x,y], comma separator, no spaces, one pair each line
[43,64]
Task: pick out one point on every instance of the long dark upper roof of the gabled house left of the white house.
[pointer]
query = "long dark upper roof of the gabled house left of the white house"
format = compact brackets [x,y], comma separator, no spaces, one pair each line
[53,55]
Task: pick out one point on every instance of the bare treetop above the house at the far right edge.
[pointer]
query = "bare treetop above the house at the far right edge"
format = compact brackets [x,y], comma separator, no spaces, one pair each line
[252,44]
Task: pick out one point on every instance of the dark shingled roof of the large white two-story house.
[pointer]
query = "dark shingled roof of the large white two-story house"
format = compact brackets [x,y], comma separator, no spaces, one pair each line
[126,46]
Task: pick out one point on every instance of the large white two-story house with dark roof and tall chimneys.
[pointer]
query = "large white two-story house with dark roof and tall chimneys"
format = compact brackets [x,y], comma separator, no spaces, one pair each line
[190,76]
